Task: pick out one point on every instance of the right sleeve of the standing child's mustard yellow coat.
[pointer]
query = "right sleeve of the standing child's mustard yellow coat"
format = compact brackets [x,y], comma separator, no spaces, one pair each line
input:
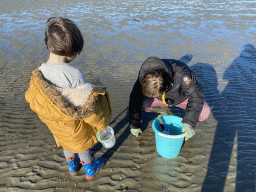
[101,116]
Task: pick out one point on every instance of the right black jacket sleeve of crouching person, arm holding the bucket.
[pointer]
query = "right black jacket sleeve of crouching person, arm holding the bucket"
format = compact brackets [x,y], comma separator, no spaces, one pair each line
[195,101]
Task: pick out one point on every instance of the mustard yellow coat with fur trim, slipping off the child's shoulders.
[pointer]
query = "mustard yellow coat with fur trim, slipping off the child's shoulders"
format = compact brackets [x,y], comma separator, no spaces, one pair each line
[74,127]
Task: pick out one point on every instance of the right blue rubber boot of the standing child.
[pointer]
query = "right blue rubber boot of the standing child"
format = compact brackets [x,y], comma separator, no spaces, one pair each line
[93,167]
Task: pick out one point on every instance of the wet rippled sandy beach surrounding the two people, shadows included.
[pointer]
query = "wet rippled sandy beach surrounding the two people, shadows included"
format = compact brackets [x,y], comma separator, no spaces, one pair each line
[217,40]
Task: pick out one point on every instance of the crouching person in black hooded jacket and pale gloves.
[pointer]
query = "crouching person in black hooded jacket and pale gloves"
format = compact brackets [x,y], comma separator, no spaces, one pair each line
[163,83]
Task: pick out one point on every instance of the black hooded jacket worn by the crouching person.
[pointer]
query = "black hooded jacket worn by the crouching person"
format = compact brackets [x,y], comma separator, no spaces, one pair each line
[184,86]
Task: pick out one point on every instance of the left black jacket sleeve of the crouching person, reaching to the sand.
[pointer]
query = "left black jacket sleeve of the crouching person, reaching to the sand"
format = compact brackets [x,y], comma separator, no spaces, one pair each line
[135,105]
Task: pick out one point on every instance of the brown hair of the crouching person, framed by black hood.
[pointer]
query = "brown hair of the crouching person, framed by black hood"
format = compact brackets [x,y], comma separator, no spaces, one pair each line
[155,82]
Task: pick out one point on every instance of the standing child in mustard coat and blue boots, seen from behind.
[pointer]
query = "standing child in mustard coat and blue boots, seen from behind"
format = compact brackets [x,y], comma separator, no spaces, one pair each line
[72,109]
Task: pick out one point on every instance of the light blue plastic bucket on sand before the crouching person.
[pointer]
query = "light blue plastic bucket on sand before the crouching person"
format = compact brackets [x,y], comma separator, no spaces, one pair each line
[168,146]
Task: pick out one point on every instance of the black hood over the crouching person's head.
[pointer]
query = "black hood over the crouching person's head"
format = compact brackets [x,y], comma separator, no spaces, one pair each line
[154,63]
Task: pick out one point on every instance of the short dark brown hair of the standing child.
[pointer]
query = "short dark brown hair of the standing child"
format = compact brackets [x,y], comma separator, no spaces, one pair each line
[63,37]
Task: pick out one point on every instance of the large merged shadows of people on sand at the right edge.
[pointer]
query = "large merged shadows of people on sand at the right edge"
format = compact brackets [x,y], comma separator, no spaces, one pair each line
[234,109]
